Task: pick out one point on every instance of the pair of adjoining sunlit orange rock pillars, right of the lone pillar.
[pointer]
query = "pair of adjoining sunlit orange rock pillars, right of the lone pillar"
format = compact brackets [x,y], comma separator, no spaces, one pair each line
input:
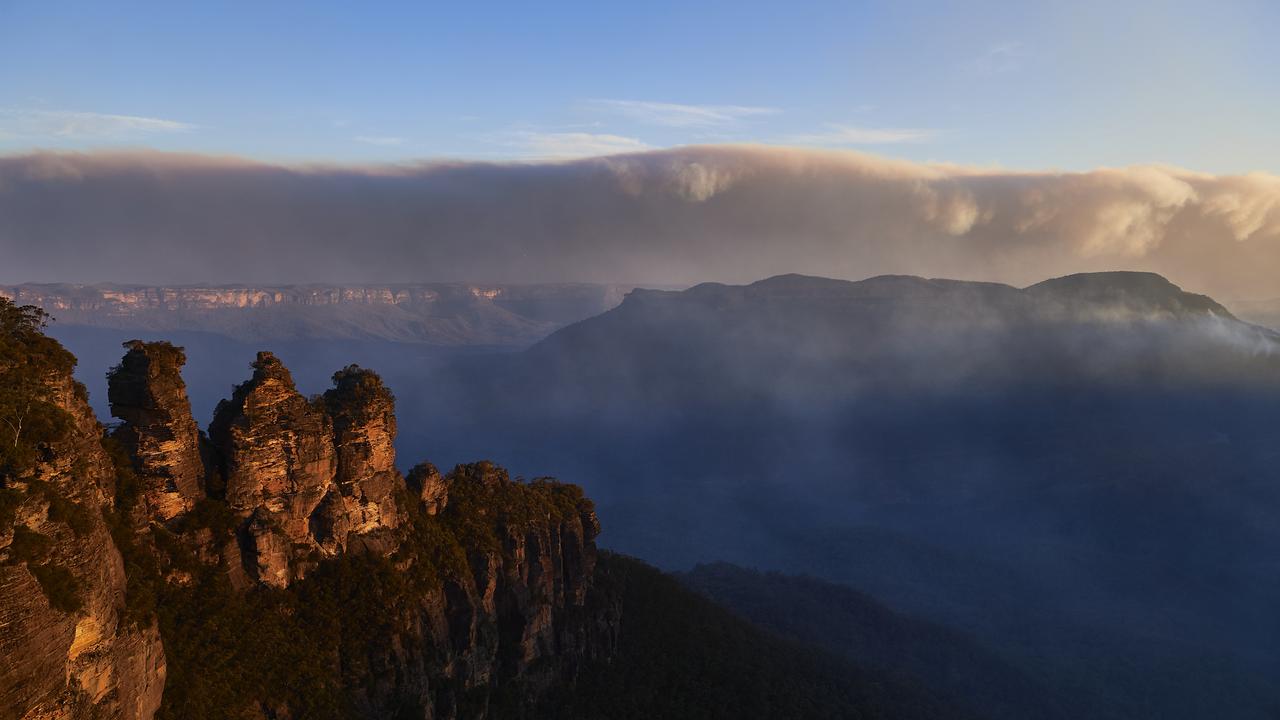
[308,476]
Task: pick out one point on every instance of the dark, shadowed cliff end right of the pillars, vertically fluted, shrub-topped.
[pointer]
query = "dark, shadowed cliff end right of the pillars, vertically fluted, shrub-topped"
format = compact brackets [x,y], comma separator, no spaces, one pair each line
[518,622]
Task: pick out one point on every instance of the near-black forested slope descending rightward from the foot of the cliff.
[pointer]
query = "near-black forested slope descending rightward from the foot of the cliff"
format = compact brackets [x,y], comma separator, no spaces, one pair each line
[683,657]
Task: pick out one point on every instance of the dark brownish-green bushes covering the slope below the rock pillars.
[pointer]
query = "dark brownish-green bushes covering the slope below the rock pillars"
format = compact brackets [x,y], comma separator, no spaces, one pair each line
[313,646]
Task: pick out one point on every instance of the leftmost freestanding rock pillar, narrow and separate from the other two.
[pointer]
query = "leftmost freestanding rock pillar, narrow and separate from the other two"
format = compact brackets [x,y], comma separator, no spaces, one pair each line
[149,397]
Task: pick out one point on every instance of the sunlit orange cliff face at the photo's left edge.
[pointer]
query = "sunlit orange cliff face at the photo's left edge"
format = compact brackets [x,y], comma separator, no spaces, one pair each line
[68,648]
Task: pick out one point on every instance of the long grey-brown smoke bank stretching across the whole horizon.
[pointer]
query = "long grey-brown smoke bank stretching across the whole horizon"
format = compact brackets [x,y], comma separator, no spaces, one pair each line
[674,217]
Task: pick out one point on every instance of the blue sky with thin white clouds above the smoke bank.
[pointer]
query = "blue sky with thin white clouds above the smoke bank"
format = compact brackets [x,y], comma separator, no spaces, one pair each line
[1016,85]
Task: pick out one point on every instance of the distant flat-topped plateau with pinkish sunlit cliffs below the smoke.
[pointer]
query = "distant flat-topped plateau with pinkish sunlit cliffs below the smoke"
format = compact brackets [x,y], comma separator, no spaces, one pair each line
[440,315]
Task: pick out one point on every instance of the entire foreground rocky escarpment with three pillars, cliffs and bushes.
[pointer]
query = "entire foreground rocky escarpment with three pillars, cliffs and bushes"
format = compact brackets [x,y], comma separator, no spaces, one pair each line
[280,568]
